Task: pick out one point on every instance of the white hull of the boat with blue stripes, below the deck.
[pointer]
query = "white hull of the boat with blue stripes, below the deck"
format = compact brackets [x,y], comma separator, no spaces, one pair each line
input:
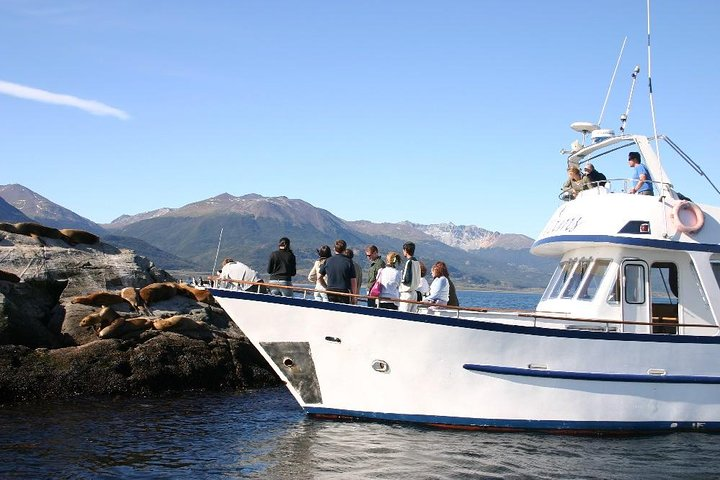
[480,374]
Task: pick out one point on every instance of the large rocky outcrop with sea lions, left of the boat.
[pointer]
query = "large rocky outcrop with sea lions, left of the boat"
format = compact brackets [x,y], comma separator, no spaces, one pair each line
[52,347]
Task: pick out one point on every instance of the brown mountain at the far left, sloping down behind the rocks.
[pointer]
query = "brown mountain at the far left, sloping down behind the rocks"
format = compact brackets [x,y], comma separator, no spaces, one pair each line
[42,210]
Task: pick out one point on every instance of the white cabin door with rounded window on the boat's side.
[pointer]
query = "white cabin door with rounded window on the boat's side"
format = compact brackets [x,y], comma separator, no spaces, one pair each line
[636,304]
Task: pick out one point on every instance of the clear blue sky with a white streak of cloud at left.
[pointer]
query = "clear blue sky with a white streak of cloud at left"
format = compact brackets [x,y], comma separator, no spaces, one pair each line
[427,111]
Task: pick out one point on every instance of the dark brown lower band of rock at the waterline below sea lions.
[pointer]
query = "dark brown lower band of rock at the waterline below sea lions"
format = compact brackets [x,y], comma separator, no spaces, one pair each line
[167,362]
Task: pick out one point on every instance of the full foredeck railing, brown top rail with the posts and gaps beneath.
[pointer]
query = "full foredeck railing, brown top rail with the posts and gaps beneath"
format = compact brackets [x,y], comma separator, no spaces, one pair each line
[532,318]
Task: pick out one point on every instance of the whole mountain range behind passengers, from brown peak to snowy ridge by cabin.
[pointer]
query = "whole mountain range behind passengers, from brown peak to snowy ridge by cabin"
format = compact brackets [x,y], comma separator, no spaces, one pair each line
[252,224]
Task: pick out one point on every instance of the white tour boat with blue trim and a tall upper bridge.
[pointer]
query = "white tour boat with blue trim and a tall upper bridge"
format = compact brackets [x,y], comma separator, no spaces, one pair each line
[624,339]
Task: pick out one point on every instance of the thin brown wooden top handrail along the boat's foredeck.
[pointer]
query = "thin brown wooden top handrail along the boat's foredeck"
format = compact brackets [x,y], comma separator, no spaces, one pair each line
[458,309]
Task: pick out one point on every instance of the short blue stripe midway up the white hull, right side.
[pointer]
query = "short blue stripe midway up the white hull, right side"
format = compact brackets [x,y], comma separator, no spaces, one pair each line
[598,377]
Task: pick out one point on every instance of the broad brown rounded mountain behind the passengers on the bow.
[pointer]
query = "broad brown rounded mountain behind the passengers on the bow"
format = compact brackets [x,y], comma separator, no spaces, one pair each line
[251,226]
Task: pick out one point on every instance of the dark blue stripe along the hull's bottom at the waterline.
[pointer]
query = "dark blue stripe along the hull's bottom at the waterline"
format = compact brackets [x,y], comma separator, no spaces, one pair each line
[563,426]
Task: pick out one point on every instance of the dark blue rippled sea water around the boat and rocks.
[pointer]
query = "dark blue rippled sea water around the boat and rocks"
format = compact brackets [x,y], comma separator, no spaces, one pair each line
[264,434]
